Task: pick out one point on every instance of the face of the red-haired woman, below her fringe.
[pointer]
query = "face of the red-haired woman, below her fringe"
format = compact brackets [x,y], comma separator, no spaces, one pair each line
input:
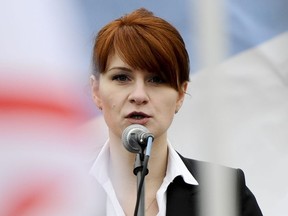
[128,96]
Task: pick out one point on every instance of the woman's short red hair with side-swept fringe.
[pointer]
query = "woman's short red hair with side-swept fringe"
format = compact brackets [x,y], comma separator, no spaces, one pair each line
[145,42]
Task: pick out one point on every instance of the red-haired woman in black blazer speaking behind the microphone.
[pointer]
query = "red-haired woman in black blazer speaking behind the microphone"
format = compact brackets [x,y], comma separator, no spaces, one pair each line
[141,76]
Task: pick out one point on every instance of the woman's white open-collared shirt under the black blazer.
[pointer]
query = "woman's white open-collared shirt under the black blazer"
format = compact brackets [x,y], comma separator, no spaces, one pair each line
[175,167]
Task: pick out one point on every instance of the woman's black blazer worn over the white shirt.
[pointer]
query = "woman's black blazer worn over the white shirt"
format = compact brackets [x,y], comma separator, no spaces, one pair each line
[184,199]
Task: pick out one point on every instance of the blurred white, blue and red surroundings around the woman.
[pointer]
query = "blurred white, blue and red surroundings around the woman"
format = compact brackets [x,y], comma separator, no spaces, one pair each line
[236,112]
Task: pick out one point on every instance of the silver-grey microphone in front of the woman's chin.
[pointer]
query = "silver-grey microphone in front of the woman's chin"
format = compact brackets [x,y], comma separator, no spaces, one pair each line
[134,137]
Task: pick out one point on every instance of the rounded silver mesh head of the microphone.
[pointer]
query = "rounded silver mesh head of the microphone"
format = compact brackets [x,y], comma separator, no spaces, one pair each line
[130,137]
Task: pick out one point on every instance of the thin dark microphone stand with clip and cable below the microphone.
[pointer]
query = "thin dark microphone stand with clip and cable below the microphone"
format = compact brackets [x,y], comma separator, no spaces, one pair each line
[140,170]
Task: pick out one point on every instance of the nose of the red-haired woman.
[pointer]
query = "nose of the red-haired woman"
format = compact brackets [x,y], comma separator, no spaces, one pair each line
[138,94]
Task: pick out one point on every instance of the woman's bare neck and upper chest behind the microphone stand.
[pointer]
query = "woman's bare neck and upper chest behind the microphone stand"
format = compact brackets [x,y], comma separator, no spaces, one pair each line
[123,178]
